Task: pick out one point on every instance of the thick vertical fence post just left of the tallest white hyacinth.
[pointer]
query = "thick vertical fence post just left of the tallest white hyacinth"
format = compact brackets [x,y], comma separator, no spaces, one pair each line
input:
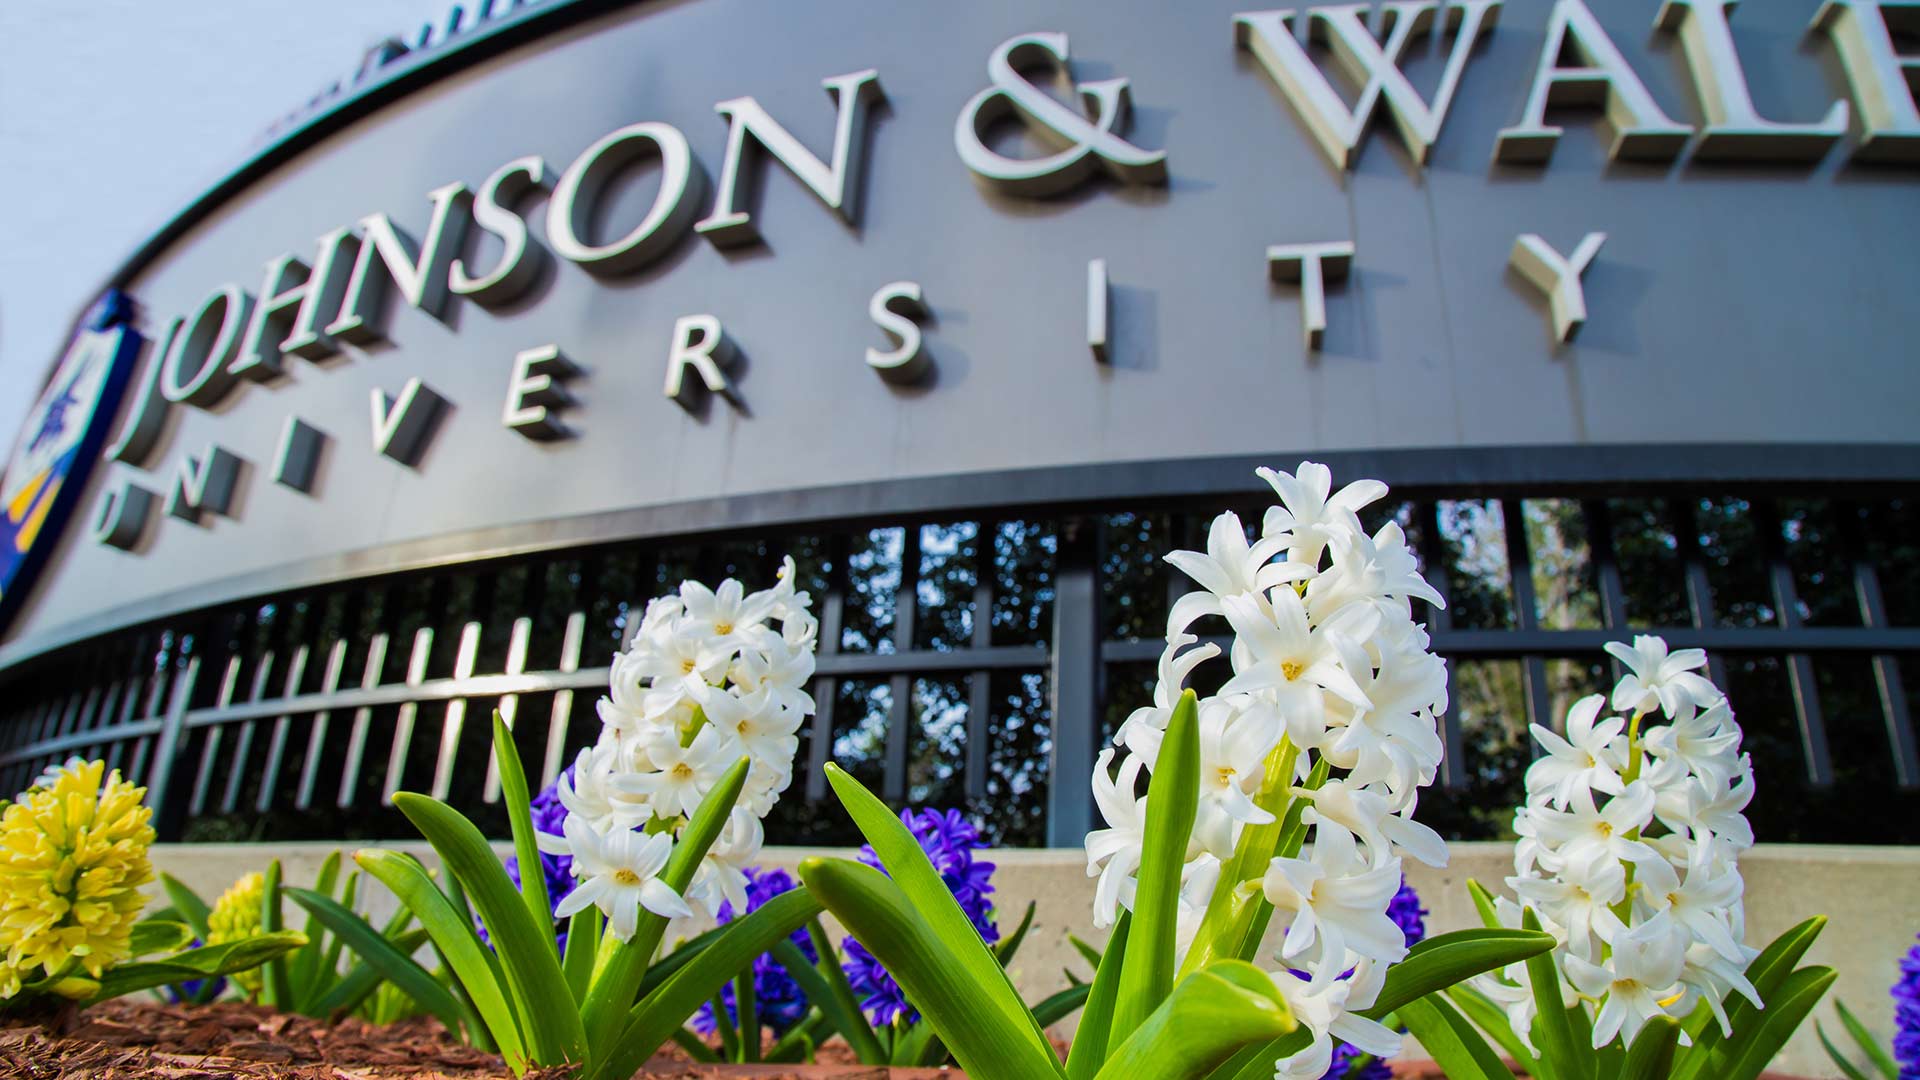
[1076,683]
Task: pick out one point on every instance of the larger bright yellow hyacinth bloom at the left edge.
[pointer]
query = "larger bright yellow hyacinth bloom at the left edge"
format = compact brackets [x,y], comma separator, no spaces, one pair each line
[72,866]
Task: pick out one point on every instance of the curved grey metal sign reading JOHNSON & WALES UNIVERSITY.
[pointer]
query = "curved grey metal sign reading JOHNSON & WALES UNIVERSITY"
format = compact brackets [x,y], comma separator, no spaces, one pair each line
[658,255]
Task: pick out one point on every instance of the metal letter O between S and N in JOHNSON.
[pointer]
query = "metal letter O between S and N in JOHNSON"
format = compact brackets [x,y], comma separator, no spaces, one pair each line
[583,184]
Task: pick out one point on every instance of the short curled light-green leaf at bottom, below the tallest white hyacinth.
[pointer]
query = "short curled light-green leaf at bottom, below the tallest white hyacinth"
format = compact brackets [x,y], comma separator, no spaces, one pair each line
[1209,1018]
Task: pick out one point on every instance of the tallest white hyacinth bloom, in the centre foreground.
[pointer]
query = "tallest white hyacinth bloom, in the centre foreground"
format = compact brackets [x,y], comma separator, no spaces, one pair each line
[1333,700]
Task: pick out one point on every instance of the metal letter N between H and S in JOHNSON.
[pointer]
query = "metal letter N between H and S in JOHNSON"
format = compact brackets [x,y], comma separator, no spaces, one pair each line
[421,276]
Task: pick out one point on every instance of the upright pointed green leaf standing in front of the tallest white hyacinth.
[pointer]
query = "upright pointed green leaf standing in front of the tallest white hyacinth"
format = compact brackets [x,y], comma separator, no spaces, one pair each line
[1172,804]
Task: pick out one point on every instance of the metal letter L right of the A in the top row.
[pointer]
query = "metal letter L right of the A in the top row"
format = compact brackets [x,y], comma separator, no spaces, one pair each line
[1735,128]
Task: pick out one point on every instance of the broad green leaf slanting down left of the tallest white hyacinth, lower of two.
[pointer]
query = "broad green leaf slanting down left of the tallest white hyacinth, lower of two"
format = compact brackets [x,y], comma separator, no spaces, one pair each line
[951,994]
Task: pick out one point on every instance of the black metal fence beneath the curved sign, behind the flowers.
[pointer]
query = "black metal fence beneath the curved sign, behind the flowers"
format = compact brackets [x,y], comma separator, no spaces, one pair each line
[976,662]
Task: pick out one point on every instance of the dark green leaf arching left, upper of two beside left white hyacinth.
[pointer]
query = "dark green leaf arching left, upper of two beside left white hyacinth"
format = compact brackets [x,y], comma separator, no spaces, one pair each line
[525,948]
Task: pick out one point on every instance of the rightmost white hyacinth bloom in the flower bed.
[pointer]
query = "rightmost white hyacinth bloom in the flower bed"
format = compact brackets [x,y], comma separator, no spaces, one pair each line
[1629,848]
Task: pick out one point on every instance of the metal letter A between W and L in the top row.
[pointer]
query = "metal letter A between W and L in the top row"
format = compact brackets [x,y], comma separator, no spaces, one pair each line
[1641,130]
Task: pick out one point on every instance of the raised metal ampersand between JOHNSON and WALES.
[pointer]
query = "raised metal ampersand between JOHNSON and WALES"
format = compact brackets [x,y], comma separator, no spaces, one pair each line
[1084,145]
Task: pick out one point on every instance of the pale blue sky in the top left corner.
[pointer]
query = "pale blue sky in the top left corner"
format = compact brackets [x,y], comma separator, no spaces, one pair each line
[114,114]
